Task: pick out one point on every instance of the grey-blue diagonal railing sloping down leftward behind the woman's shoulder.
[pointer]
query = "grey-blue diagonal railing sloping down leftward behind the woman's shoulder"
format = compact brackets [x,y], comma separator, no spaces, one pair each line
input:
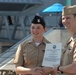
[6,56]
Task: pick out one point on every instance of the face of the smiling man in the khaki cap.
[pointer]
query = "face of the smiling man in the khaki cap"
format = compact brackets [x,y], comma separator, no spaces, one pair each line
[69,22]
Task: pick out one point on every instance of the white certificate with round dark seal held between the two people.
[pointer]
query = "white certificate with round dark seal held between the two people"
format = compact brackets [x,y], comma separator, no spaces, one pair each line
[52,55]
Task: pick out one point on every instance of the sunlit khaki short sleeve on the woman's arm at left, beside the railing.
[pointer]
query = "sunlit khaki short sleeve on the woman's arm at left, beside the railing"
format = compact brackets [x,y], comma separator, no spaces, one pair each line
[18,59]
